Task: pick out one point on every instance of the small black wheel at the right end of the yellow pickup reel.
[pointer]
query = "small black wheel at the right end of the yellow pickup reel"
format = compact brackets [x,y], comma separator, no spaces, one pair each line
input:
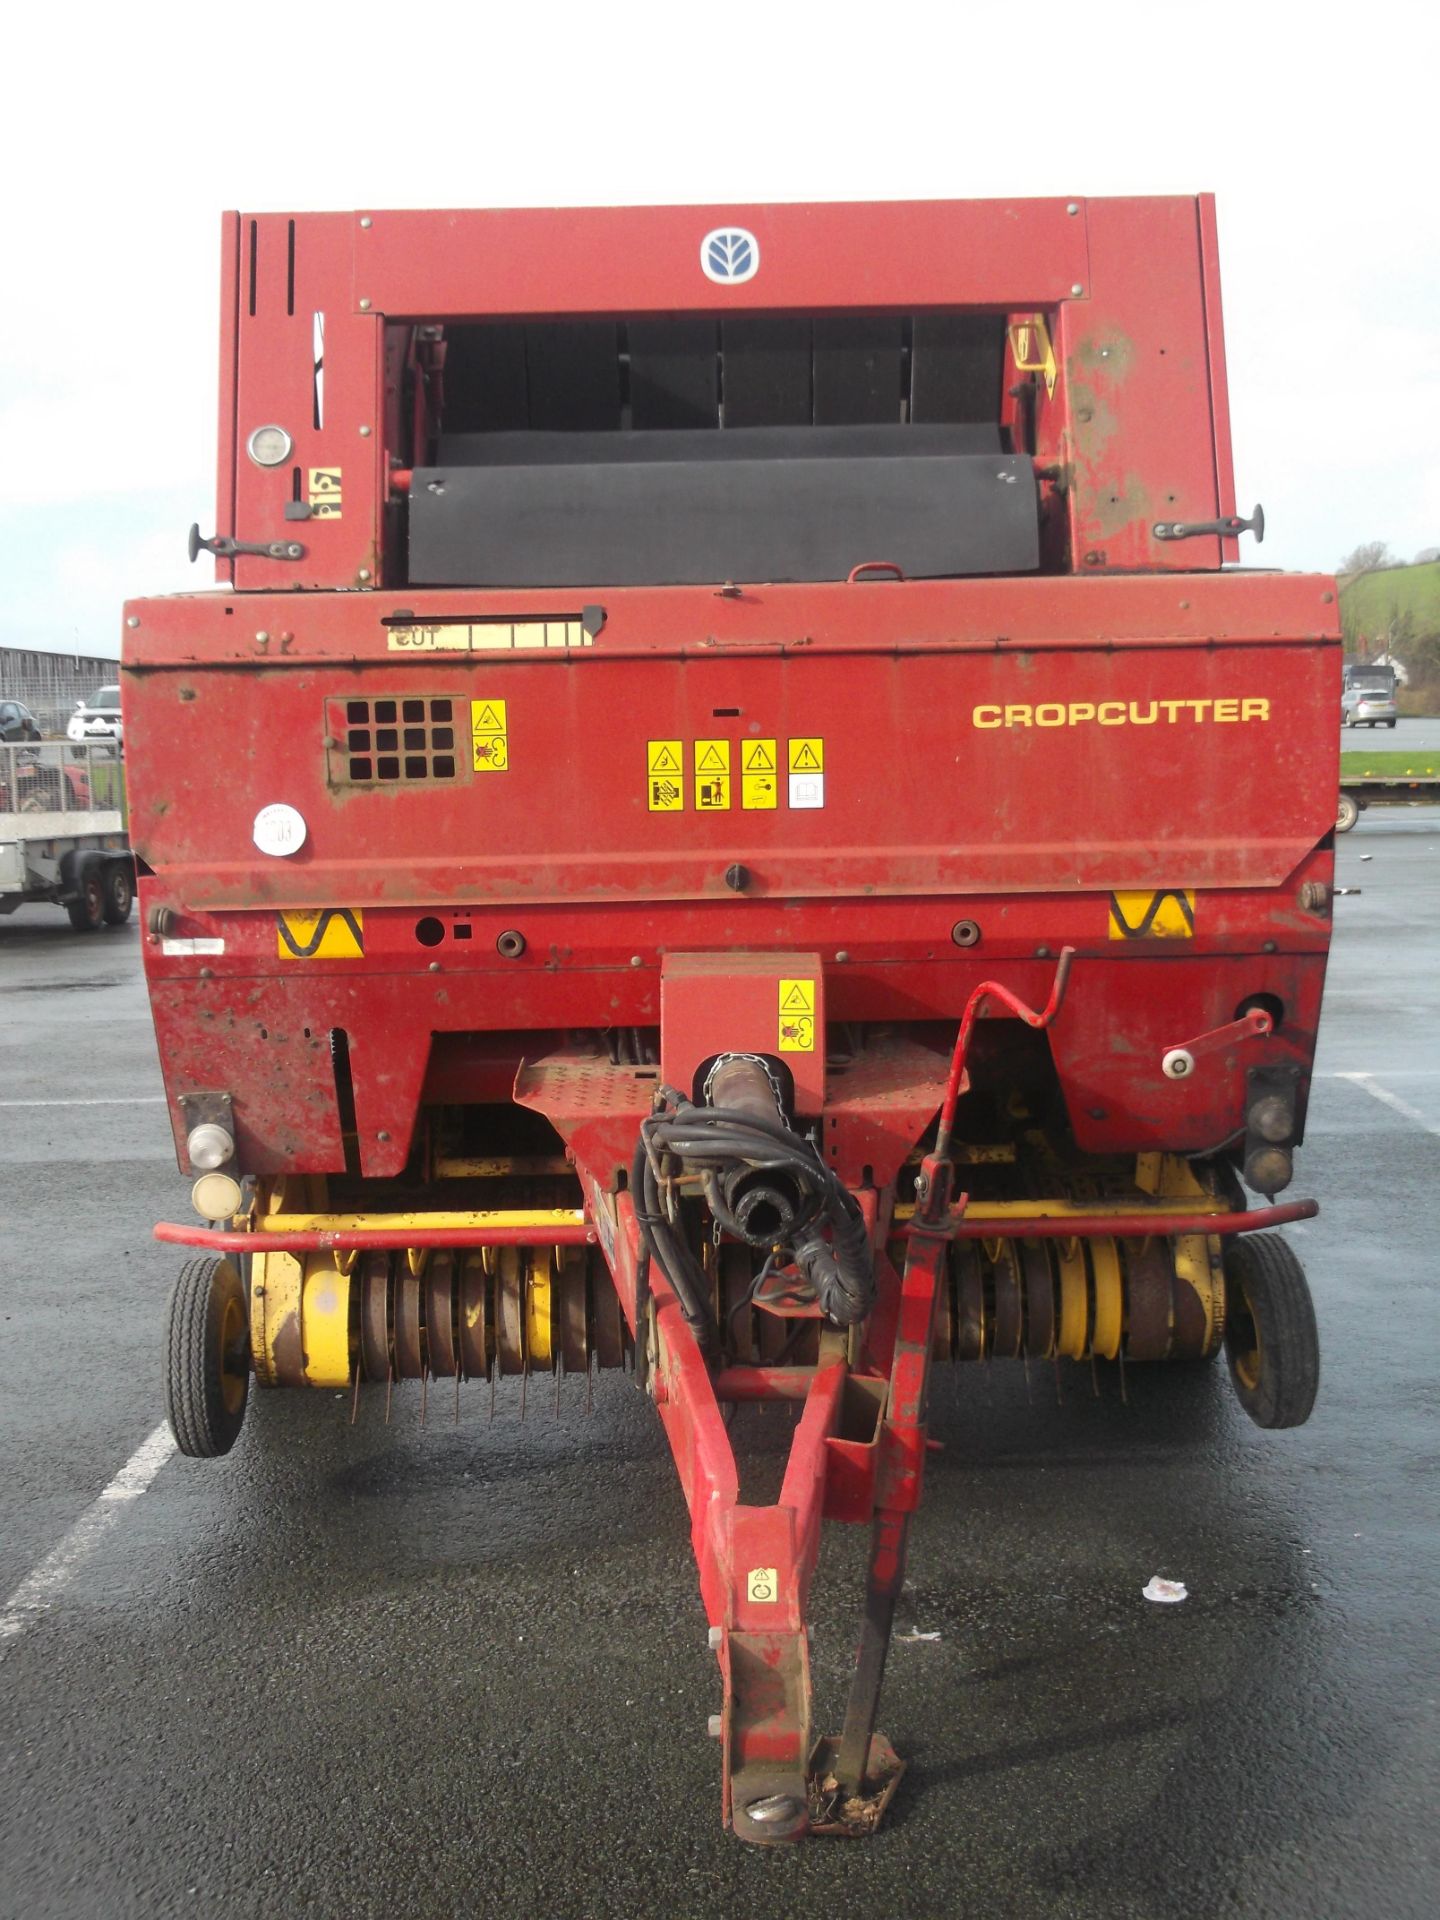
[1272,1343]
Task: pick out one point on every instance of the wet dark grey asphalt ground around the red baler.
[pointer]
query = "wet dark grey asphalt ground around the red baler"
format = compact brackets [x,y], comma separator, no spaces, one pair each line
[464,1669]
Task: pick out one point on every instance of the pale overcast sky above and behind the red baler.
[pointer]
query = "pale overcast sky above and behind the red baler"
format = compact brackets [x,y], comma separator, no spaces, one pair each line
[126,135]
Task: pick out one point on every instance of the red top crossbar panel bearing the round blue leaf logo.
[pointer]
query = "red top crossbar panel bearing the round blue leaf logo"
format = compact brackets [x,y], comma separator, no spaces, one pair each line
[648,260]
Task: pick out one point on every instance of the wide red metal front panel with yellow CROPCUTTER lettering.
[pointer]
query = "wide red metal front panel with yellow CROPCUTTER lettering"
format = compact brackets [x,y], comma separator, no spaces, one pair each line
[921,698]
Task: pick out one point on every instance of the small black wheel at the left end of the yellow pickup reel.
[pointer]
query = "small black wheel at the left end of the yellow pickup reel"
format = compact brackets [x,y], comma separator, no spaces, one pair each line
[204,1397]
